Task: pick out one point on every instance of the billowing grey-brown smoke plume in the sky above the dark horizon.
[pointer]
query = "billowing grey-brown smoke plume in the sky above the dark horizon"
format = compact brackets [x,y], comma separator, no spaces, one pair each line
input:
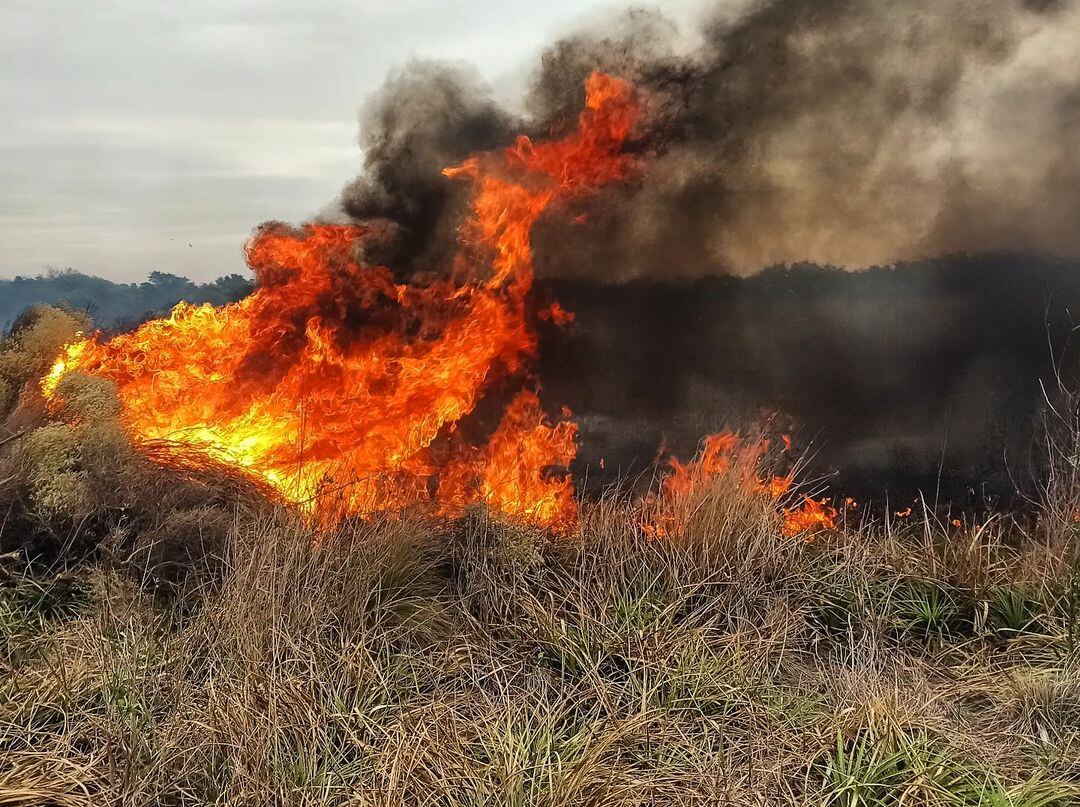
[845,132]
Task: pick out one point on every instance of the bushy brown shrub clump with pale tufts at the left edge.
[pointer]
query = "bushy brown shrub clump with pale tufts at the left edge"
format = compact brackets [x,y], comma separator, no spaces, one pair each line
[73,488]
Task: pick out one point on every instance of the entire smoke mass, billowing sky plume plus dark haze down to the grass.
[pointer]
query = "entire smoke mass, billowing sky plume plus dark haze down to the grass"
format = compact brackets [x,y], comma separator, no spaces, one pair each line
[792,133]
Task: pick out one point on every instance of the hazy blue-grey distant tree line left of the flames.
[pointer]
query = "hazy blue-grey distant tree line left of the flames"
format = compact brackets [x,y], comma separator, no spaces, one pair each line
[114,306]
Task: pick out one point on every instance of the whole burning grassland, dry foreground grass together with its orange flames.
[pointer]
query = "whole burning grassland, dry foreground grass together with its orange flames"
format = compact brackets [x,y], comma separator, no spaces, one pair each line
[258,555]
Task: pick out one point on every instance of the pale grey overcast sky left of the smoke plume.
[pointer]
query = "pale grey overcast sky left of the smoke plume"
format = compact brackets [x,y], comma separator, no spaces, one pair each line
[142,136]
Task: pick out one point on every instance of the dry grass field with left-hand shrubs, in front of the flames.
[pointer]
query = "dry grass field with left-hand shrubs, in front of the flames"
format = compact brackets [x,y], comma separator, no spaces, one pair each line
[171,639]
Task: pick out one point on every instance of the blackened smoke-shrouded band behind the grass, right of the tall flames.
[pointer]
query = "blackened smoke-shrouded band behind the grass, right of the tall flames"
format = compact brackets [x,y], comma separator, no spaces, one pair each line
[922,380]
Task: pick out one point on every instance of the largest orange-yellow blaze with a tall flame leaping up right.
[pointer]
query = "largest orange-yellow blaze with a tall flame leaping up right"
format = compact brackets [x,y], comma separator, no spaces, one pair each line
[341,386]
